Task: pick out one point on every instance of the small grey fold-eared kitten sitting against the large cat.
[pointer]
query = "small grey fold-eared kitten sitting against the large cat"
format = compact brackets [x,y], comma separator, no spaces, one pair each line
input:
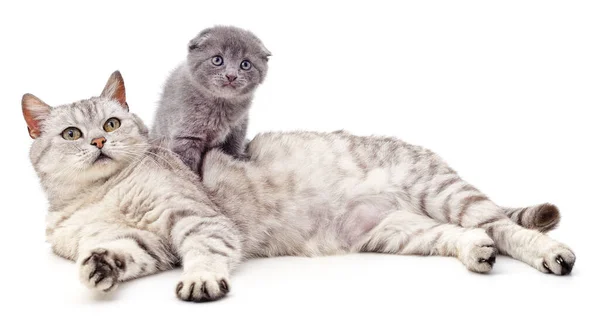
[206,100]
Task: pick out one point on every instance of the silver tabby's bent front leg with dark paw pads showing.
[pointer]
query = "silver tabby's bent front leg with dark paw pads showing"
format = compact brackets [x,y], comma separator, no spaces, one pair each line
[110,254]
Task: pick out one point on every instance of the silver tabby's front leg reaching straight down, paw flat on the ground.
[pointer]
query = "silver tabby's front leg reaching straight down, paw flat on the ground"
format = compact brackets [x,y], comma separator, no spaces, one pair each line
[210,248]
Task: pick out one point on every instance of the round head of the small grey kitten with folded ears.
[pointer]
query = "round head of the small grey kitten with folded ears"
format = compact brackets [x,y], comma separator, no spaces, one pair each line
[227,61]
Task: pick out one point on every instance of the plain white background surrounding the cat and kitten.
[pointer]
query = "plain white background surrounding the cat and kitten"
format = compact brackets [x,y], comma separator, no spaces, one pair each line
[506,91]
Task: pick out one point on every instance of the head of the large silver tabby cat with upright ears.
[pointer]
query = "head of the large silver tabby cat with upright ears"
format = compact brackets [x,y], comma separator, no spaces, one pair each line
[86,140]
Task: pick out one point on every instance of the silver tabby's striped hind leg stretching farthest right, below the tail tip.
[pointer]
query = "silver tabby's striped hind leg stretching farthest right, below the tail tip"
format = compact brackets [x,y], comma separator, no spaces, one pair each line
[457,202]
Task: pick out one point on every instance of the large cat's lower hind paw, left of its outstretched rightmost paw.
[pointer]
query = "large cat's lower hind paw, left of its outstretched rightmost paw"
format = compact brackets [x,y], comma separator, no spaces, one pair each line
[478,252]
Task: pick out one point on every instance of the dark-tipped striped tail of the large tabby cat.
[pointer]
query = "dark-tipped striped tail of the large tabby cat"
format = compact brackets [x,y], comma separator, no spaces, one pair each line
[543,217]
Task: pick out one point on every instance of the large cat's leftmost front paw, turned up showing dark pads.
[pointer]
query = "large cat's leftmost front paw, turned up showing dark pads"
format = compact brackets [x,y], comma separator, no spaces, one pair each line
[99,270]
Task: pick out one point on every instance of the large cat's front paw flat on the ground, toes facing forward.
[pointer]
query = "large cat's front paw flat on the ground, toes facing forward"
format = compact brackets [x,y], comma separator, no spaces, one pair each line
[202,287]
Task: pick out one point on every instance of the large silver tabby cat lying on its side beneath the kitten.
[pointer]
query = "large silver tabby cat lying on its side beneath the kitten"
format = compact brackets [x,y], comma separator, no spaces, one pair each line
[123,207]
